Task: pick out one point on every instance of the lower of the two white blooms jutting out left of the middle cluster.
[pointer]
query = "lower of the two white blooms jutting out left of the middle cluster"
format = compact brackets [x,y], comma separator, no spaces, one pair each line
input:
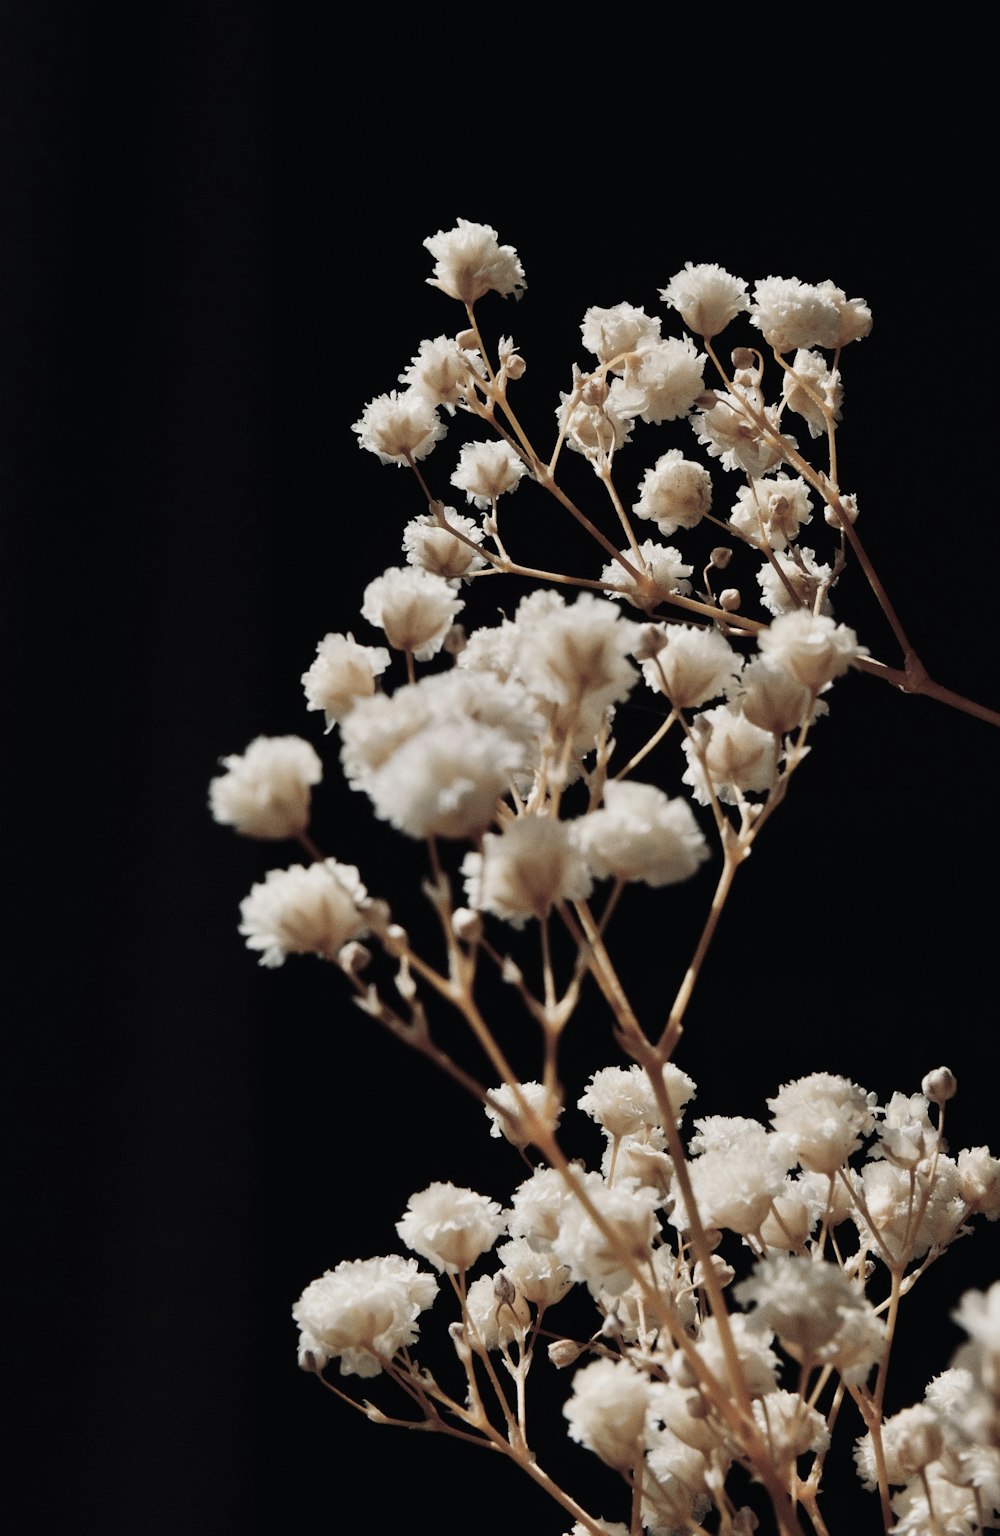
[303,912]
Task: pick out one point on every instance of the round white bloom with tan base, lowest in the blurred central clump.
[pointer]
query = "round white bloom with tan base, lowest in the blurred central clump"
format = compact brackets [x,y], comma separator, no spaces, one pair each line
[528,869]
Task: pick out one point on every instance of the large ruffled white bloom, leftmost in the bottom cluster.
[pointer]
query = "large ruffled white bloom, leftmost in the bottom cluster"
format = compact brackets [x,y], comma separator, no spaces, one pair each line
[363,1313]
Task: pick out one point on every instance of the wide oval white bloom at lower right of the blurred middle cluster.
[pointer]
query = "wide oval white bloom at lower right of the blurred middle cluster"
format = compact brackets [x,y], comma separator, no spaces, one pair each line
[640,835]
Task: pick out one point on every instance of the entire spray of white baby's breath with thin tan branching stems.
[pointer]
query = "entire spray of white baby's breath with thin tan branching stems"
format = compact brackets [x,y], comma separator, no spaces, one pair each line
[498,752]
